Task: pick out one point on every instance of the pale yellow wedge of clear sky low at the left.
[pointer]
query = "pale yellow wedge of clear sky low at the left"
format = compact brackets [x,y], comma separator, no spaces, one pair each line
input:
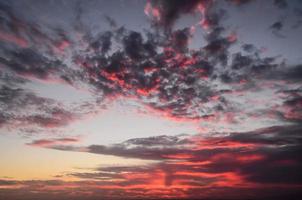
[21,162]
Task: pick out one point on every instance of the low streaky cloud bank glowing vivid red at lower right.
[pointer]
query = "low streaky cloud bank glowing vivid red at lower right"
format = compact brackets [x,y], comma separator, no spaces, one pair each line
[245,162]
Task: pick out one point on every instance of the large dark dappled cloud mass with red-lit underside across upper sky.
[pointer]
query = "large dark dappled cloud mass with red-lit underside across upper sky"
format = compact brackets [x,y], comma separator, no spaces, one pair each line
[157,68]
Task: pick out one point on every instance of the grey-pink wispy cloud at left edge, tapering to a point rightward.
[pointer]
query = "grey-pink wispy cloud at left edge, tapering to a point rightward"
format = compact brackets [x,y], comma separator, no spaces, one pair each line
[22,109]
